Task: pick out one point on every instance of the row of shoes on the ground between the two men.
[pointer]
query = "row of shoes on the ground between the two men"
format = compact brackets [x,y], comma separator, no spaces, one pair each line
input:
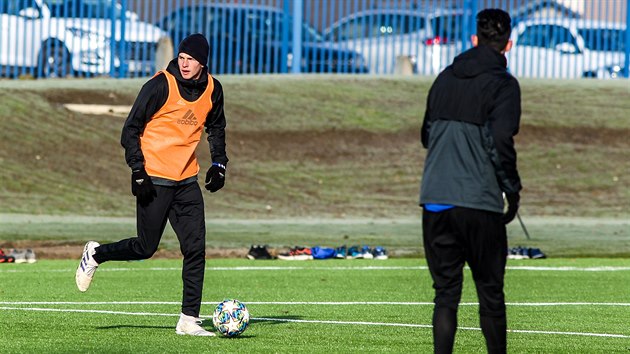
[306,253]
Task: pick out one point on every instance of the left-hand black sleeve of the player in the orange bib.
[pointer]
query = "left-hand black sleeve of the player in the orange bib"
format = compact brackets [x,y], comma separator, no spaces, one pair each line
[151,98]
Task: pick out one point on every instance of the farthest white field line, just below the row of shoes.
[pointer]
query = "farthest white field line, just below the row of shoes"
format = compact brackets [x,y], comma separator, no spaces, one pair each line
[515,268]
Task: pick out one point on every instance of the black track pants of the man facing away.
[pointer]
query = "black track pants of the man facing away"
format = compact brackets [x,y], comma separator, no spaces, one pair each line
[452,238]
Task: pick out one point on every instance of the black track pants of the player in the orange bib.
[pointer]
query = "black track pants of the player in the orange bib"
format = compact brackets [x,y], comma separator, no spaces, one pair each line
[183,207]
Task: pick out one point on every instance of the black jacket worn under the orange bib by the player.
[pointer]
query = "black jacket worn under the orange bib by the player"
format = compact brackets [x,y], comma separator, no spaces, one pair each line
[153,96]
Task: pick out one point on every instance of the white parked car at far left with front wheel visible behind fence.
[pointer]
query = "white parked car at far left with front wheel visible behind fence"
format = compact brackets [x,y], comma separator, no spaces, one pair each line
[53,38]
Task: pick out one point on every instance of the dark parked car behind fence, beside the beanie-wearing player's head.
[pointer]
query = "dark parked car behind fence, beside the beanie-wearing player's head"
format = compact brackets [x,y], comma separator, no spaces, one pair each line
[249,39]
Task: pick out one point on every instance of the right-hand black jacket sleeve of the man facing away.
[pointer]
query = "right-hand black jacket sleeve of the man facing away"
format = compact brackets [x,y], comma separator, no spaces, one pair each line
[504,121]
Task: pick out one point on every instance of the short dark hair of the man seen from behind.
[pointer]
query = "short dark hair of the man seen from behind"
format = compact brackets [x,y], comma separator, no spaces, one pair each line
[494,27]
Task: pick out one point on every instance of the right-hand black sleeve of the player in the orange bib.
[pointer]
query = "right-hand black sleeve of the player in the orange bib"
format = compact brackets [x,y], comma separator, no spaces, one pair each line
[215,126]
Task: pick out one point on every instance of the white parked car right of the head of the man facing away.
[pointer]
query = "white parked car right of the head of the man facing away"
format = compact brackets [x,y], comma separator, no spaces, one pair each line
[567,48]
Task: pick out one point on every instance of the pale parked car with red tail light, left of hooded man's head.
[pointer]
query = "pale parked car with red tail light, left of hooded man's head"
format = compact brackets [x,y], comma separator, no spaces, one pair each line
[430,39]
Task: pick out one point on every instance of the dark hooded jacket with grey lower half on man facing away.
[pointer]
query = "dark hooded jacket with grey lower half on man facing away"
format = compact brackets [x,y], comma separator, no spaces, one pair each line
[473,112]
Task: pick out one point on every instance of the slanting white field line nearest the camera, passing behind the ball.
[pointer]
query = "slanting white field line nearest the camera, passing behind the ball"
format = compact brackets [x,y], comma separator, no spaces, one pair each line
[408,325]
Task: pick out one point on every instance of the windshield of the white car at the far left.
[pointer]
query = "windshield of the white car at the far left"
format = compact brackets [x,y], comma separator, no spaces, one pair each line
[83,8]
